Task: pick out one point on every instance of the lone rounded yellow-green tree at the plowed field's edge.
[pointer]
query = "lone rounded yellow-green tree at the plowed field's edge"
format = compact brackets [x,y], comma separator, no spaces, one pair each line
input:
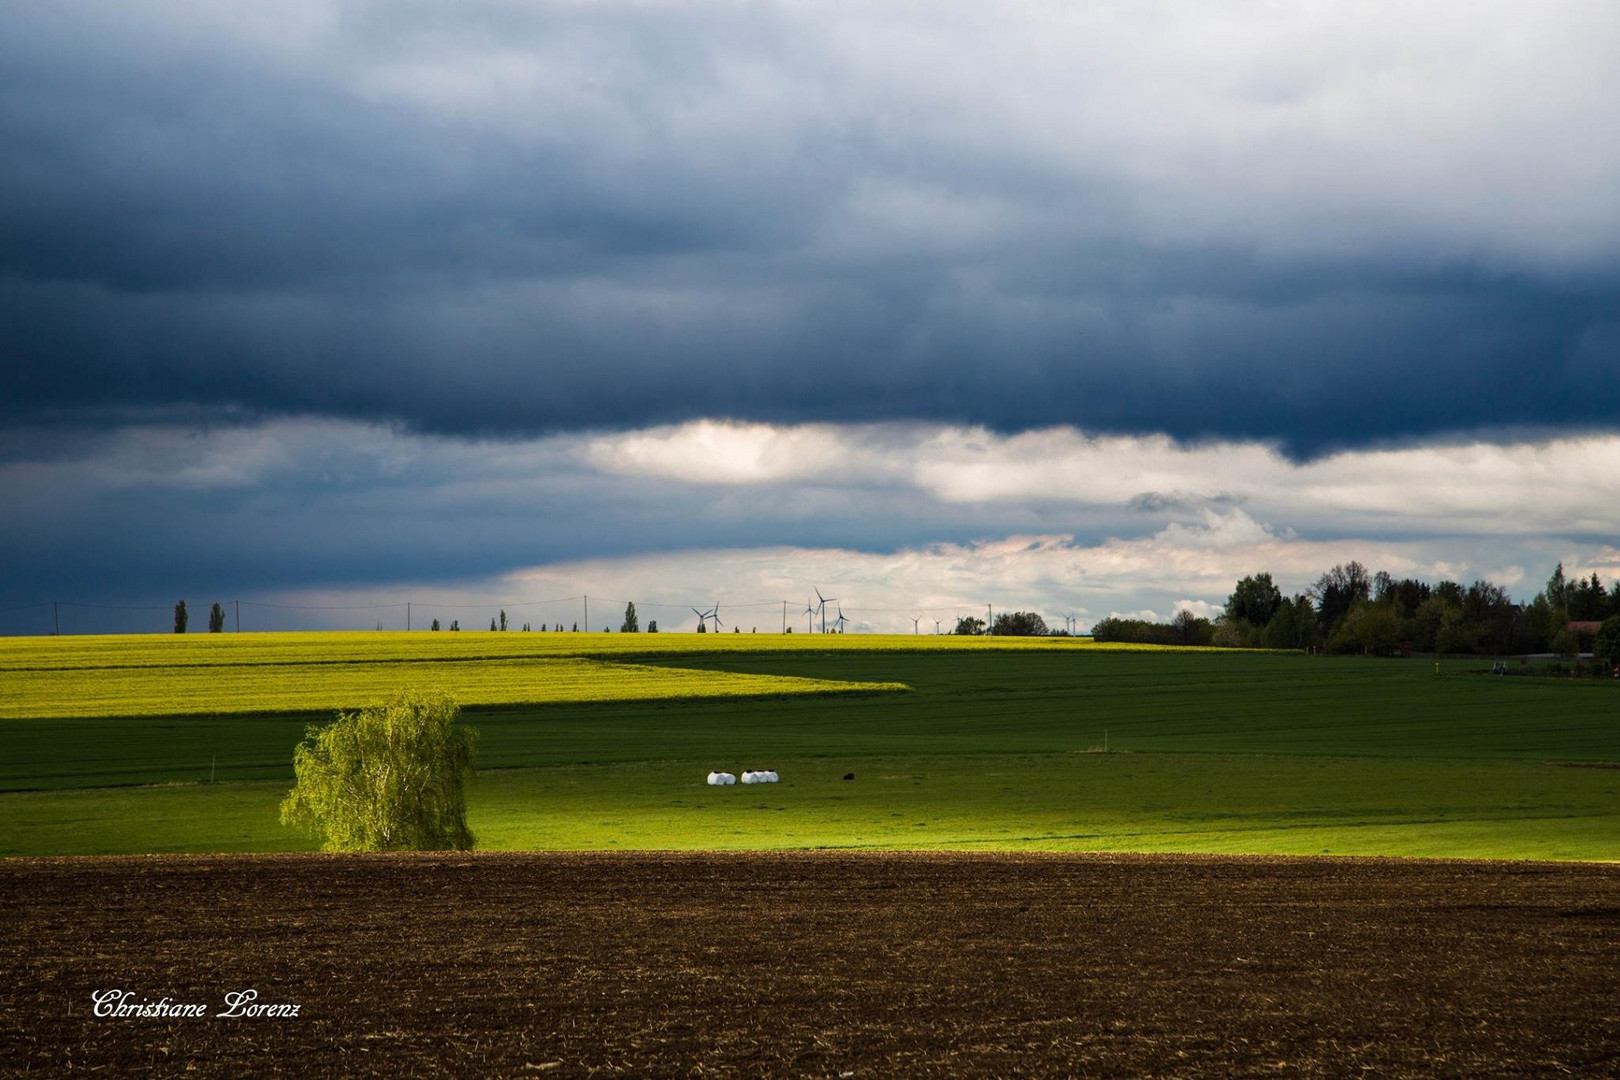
[390,778]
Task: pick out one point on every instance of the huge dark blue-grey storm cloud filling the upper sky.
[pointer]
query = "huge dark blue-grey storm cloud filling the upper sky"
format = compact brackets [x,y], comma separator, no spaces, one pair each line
[516,219]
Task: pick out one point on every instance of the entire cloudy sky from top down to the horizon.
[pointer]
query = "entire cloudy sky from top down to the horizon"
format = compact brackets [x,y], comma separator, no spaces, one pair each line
[1086,308]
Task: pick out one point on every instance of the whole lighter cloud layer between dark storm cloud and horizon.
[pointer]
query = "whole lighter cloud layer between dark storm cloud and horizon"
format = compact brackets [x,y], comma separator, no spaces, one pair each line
[1065,524]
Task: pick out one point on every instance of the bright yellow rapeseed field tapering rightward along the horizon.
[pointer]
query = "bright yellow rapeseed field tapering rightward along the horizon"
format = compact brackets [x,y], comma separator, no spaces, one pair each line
[216,674]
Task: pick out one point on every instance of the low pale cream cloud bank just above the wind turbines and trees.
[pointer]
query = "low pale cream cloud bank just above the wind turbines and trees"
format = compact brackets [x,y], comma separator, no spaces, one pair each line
[1054,576]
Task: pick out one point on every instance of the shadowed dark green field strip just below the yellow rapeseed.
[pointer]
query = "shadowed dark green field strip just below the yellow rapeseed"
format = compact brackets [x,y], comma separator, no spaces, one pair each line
[961,704]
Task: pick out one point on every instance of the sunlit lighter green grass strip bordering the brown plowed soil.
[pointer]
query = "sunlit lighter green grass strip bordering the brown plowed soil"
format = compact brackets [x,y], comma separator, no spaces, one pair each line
[973,802]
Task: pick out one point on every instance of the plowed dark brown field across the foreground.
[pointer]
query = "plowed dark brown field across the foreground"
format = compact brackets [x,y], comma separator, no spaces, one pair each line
[816,964]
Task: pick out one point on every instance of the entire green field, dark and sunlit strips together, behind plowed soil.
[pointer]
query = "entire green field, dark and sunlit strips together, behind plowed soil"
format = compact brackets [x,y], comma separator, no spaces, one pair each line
[991,747]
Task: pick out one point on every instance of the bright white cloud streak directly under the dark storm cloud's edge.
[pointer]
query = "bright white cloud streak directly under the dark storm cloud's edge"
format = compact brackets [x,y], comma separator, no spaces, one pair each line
[1567,485]
